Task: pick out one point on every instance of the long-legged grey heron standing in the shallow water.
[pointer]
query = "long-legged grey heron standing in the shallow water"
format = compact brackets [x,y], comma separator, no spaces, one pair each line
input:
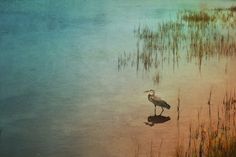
[157,101]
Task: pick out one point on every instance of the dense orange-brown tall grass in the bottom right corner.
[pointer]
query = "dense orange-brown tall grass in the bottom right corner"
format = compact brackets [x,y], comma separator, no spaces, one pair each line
[216,139]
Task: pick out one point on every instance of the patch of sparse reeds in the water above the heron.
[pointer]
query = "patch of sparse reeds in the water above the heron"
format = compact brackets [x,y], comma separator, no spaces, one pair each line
[198,35]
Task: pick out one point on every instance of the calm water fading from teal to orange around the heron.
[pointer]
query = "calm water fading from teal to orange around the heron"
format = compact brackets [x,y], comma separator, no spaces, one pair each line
[61,92]
